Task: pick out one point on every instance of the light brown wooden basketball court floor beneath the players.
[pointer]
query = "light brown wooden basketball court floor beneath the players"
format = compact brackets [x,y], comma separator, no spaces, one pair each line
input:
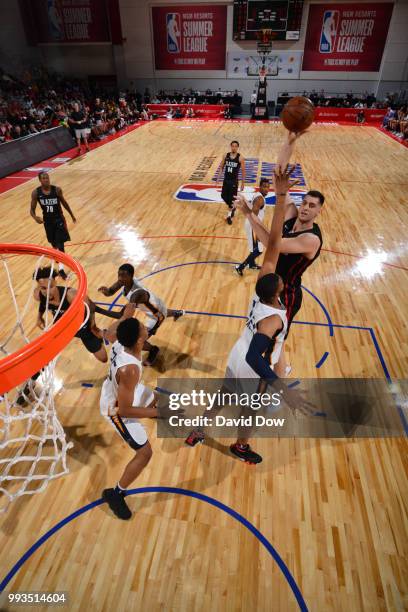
[335,510]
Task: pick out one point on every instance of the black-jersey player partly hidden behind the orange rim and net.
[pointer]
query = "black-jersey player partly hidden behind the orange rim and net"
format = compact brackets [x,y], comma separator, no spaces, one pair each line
[58,301]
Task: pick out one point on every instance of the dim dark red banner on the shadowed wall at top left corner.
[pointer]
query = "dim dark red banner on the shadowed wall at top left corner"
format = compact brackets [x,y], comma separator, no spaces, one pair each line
[65,21]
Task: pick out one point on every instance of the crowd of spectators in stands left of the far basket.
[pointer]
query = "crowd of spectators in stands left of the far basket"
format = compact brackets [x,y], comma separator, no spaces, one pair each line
[38,101]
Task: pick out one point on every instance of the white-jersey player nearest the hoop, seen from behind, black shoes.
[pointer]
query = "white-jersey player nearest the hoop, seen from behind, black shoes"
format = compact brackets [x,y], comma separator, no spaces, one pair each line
[124,399]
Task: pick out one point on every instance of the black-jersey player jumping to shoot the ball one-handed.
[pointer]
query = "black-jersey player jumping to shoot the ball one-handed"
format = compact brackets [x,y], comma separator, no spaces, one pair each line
[300,247]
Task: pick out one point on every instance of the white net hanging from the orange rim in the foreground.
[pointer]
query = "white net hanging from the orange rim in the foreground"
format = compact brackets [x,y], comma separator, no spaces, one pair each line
[33,445]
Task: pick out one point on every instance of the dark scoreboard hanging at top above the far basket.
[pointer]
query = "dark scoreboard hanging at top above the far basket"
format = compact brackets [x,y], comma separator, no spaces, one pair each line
[283,17]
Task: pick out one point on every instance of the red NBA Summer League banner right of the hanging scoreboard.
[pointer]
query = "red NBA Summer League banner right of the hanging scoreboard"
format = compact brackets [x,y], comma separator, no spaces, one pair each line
[347,37]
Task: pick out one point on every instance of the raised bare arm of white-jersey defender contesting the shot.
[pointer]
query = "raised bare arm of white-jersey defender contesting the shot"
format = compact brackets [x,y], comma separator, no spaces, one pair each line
[282,186]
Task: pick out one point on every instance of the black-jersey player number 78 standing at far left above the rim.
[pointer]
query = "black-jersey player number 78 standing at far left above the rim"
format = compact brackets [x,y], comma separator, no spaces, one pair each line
[50,199]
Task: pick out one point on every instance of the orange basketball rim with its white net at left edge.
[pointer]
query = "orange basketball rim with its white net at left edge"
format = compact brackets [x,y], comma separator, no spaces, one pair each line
[33,445]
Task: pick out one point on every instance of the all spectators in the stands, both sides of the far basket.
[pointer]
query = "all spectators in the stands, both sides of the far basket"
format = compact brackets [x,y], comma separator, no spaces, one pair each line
[38,100]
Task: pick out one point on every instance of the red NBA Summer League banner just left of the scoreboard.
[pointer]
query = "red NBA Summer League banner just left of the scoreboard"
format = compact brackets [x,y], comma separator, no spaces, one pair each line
[189,37]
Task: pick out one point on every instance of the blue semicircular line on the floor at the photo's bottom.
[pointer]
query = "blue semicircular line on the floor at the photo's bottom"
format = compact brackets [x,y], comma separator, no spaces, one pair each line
[174,490]
